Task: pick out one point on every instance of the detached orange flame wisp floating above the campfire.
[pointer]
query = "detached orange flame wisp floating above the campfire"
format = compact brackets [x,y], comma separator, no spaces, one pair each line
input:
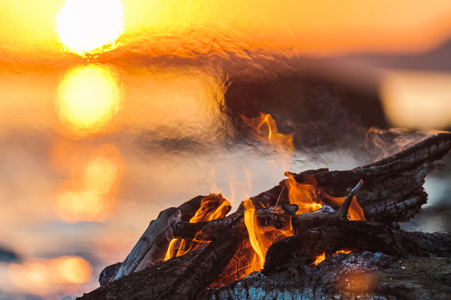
[264,129]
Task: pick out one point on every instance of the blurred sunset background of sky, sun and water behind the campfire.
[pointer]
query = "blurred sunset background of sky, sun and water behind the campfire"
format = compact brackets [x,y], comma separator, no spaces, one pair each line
[111,111]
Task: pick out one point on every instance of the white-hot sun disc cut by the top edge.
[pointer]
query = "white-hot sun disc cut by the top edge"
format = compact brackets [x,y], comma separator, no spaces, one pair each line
[90,26]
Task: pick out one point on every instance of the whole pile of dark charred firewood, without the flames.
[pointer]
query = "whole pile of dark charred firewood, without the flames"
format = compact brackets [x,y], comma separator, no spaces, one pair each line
[392,192]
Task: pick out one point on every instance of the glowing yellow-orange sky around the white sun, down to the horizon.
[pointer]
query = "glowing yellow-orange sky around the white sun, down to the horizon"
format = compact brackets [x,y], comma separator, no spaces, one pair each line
[320,27]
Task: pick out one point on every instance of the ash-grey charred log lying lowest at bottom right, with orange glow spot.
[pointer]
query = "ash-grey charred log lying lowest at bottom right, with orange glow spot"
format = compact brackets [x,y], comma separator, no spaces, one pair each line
[349,276]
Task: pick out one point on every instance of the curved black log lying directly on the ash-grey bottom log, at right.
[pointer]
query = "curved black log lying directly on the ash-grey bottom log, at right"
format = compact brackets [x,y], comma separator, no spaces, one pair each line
[356,236]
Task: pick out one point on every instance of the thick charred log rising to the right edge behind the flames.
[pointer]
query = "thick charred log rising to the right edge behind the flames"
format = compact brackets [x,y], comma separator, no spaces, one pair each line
[393,190]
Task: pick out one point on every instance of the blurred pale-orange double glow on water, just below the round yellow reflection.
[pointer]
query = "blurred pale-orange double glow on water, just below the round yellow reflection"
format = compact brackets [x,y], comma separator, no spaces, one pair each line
[89,194]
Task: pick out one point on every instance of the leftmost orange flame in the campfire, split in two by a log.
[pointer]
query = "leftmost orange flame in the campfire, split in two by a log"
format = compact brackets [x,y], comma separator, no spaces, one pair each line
[212,207]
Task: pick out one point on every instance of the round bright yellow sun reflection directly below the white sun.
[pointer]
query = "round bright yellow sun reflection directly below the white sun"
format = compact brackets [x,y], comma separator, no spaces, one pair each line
[88,98]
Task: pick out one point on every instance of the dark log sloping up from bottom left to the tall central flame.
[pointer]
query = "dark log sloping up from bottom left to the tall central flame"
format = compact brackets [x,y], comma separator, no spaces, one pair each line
[182,277]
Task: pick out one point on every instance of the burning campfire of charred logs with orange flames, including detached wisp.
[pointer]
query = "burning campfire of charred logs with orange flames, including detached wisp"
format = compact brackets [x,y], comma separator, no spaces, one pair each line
[317,234]
